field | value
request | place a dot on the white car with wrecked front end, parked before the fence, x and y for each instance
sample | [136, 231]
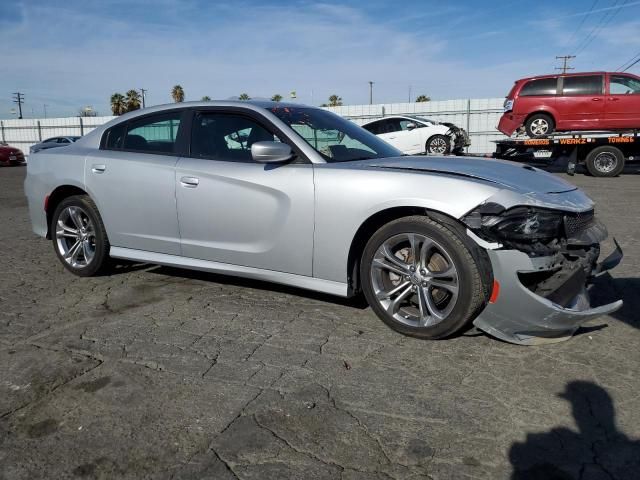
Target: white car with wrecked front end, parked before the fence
[418, 135]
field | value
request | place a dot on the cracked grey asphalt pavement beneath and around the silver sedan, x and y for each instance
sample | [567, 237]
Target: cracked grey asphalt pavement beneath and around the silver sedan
[164, 373]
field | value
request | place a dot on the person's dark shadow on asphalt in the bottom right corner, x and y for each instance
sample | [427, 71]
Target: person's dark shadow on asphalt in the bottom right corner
[596, 450]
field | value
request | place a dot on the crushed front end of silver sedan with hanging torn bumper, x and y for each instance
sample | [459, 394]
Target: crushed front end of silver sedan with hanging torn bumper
[543, 262]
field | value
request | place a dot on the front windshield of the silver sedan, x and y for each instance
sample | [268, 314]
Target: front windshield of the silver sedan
[333, 137]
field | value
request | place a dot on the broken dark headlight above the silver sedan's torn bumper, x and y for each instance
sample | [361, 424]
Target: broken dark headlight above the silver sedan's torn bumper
[520, 224]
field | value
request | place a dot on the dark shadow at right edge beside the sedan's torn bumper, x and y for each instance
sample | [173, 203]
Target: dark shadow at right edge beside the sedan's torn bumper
[607, 289]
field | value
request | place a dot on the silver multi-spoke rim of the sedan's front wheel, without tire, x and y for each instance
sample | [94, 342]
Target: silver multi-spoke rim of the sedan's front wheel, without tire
[414, 280]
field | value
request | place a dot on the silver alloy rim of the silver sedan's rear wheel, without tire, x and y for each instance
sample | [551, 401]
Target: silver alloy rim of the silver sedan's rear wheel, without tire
[75, 237]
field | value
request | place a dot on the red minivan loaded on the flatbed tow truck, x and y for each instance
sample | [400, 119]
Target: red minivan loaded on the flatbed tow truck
[572, 101]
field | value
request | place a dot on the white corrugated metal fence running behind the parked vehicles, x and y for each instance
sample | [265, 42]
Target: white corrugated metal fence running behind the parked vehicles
[478, 116]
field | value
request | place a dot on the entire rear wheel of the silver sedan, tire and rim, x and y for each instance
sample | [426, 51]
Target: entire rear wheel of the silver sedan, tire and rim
[79, 237]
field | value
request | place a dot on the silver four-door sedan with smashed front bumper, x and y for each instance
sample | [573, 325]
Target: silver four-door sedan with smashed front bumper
[297, 195]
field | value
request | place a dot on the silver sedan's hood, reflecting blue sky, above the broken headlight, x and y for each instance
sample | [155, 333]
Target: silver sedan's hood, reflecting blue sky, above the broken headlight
[523, 179]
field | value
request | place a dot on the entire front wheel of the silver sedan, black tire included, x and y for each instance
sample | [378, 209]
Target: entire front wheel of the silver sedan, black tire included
[420, 279]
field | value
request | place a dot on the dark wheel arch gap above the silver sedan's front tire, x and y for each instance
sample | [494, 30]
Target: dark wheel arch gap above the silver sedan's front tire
[382, 217]
